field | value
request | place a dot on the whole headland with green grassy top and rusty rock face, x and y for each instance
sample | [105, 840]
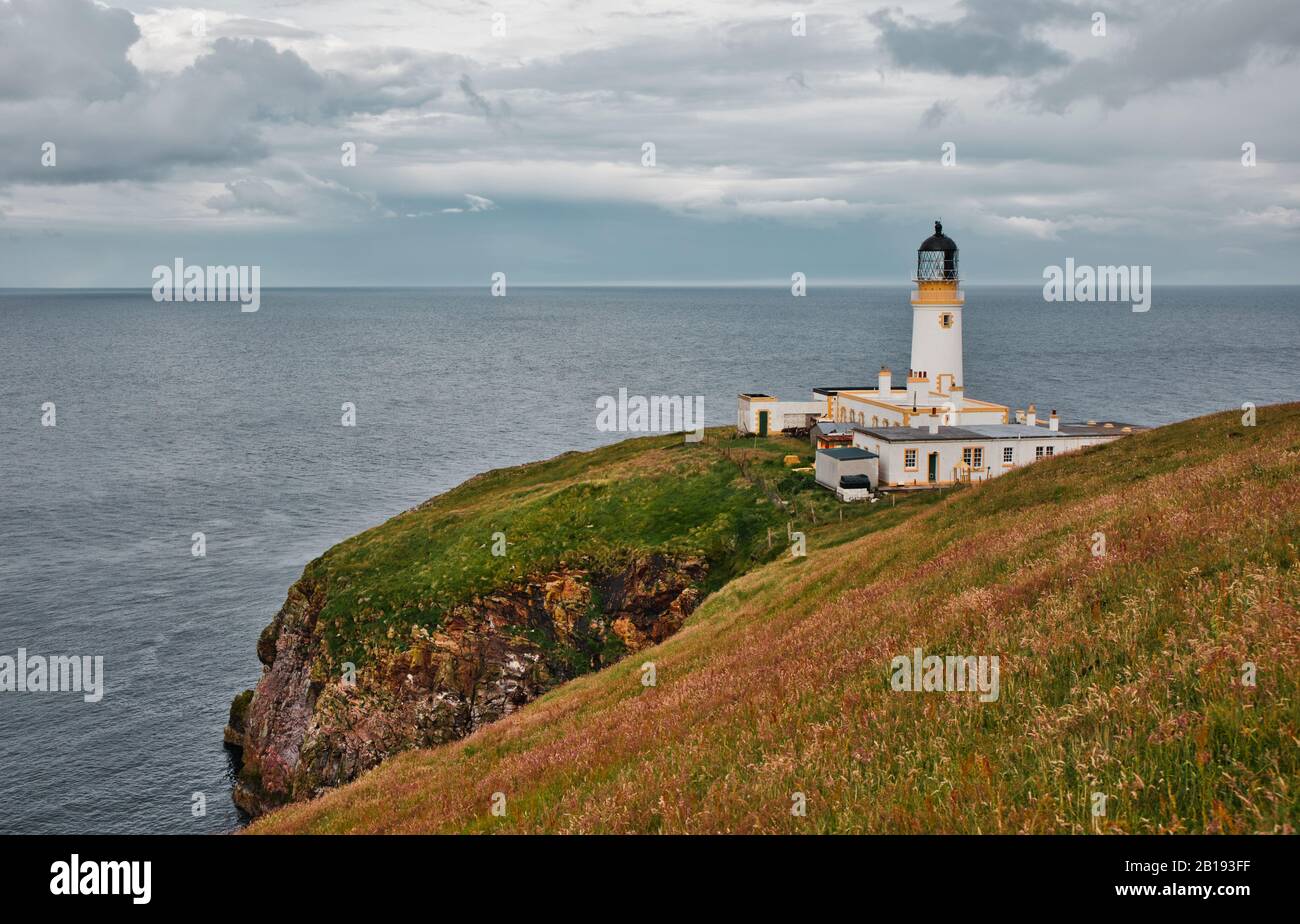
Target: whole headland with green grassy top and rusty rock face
[462, 610]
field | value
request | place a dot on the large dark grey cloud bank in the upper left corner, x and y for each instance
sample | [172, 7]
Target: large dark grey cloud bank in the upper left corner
[68, 81]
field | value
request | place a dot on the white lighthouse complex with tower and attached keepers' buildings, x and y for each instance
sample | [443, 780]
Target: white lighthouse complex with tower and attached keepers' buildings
[926, 432]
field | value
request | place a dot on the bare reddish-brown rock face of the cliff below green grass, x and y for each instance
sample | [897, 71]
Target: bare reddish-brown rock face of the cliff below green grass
[314, 723]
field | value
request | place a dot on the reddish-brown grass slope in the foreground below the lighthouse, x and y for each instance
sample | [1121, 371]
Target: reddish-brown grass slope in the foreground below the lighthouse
[1120, 674]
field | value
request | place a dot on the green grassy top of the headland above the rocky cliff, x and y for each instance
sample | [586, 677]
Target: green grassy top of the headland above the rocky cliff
[717, 500]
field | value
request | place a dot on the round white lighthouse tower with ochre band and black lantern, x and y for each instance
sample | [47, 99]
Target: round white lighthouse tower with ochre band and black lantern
[937, 319]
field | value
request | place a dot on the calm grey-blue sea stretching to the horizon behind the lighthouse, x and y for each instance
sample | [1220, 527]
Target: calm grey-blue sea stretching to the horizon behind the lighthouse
[175, 419]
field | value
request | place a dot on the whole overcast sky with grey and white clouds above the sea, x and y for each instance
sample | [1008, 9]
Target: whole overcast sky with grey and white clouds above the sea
[509, 136]
